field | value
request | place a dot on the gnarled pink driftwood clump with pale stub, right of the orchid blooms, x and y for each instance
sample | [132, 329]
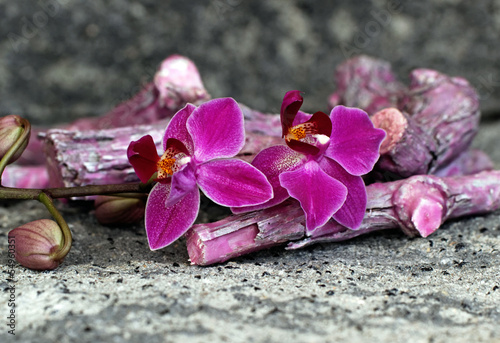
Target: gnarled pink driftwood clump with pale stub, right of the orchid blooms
[430, 123]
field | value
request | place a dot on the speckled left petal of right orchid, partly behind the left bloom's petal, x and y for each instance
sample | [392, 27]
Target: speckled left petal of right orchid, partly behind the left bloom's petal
[272, 162]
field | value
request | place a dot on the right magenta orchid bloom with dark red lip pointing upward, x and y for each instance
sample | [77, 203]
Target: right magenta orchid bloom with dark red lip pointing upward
[322, 164]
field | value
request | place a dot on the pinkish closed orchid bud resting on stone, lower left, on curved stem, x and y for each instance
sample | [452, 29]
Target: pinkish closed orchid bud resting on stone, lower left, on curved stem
[36, 244]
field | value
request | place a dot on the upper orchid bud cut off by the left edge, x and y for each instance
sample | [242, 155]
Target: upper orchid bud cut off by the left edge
[12, 128]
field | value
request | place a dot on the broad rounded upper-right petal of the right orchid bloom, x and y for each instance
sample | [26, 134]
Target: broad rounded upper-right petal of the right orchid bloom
[355, 142]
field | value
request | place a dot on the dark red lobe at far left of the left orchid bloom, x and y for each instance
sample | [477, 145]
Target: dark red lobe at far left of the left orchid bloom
[143, 157]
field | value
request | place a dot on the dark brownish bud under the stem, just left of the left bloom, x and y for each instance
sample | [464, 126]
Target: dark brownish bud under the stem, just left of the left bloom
[111, 210]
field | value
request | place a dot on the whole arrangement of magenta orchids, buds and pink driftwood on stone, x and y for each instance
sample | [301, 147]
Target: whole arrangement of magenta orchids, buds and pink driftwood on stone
[295, 178]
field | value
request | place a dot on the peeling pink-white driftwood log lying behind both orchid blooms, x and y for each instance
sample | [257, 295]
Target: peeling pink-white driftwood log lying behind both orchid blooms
[96, 157]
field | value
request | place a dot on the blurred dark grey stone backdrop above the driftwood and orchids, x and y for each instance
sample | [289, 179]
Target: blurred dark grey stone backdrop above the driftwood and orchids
[65, 59]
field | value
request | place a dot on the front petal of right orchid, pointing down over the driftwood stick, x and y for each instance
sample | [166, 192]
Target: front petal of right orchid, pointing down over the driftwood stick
[319, 194]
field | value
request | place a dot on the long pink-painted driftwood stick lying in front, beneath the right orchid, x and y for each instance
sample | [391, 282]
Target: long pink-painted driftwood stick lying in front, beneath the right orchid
[417, 205]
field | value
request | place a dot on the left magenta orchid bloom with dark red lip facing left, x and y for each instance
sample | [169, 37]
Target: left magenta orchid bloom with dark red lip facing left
[199, 143]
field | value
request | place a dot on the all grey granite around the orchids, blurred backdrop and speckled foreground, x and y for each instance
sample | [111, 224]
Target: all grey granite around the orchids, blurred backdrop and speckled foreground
[65, 59]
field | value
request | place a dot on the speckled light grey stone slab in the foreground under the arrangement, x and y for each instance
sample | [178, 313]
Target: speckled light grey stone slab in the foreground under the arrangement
[382, 287]
